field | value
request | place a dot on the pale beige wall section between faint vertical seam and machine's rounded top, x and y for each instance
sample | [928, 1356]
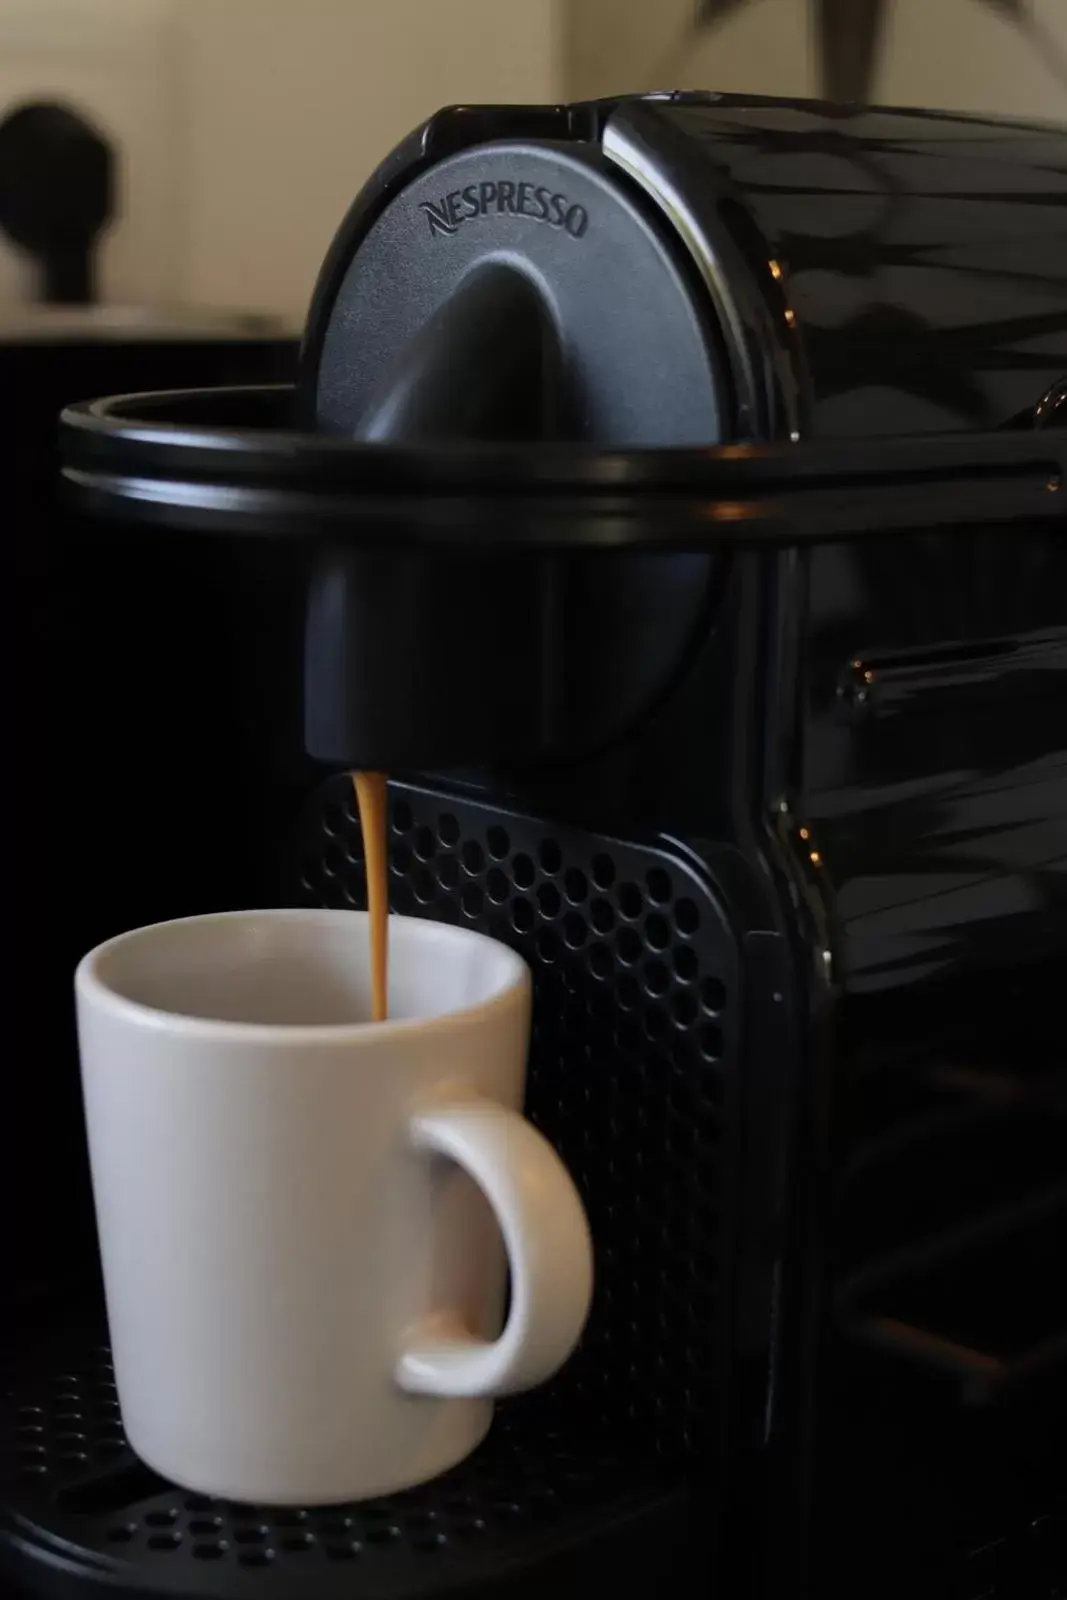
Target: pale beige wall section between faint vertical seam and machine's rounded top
[289, 105]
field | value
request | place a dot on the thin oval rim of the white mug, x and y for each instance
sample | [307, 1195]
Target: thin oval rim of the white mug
[92, 986]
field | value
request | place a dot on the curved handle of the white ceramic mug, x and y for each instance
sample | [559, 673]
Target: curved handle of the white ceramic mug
[549, 1252]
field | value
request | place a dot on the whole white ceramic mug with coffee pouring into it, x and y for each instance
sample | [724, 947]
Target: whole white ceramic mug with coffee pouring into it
[300, 1212]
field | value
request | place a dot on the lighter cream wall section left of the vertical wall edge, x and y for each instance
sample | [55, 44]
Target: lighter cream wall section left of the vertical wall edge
[247, 127]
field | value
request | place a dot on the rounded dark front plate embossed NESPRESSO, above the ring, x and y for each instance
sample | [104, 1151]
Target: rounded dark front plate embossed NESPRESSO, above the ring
[522, 266]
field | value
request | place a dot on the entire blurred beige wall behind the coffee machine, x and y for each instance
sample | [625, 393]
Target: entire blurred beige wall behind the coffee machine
[249, 126]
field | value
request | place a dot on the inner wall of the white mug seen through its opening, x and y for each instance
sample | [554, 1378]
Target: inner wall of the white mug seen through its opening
[302, 970]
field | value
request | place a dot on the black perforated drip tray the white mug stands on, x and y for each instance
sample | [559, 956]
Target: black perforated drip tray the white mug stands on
[537, 1505]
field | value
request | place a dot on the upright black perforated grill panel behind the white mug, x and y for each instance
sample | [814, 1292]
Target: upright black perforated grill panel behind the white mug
[631, 1074]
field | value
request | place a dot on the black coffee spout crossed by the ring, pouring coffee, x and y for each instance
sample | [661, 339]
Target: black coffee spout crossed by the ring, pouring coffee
[401, 649]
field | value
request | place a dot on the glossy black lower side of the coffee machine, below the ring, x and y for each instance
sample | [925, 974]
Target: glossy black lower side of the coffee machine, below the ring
[933, 802]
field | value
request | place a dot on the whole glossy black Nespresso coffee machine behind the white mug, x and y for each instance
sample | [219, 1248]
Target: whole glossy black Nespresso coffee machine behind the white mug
[674, 503]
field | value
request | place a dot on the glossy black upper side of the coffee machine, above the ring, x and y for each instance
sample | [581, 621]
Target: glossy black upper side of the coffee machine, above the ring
[924, 257]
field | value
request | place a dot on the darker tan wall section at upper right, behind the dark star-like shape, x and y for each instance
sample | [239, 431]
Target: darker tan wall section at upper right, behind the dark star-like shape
[959, 55]
